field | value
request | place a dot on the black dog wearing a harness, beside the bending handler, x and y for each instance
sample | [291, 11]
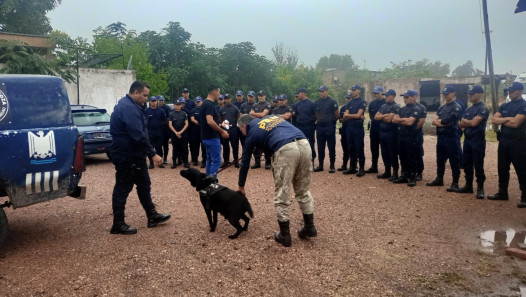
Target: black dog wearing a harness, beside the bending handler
[216, 198]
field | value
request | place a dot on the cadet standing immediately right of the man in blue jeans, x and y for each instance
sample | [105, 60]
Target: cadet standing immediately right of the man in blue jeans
[230, 113]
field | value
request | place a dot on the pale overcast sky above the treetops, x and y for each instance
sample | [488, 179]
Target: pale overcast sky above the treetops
[374, 32]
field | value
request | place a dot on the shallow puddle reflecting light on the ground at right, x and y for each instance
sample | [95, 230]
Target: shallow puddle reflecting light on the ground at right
[498, 241]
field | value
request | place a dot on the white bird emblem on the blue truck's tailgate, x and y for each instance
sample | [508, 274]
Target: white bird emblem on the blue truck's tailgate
[42, 148]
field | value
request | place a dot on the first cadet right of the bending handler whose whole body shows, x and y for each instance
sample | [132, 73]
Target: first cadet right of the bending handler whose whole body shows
[327, 114]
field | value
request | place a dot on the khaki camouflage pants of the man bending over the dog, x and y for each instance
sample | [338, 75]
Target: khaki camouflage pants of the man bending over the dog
[291, 165]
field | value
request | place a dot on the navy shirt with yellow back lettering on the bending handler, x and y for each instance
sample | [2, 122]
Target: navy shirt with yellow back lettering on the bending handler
[270, 132]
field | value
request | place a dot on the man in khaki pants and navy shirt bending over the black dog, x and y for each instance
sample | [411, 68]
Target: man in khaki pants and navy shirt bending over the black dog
[291, 164]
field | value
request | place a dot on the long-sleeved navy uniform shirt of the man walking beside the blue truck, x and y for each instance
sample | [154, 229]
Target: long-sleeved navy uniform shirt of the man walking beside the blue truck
[129, 131]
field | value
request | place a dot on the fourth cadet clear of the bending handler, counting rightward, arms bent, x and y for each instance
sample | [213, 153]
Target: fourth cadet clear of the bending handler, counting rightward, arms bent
[389, 135]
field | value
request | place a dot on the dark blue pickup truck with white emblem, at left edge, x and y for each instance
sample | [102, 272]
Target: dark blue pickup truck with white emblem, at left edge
[41, 150]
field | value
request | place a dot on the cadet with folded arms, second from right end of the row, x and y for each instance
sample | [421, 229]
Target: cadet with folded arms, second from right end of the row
[474, 124]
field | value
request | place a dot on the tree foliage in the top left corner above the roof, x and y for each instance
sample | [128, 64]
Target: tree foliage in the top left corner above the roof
[26, 16]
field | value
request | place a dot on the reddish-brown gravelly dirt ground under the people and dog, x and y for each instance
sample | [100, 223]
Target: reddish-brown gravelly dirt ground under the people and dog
[375, 238]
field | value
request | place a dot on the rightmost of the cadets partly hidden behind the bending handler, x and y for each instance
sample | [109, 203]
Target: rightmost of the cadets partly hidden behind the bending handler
[304, 113]
